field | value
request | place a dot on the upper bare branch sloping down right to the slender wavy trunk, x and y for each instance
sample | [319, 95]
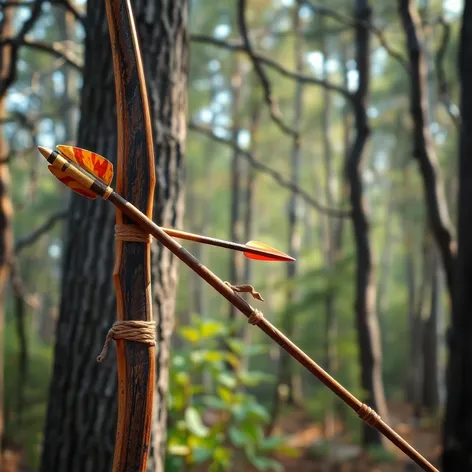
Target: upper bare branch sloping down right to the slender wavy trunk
[304, 79]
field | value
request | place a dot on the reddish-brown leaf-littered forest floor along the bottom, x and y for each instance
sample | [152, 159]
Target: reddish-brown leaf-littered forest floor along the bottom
[335, 454]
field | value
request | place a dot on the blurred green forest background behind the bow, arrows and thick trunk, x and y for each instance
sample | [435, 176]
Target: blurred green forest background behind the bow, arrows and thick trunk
[328, 130]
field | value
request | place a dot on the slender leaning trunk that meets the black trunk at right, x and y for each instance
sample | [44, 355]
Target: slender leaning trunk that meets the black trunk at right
[423, 148]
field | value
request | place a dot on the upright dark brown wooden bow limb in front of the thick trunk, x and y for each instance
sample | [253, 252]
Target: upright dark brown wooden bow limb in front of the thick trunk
[132, 274]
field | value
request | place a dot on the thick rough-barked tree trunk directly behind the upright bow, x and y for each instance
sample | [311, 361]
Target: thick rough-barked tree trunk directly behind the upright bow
[80, 428]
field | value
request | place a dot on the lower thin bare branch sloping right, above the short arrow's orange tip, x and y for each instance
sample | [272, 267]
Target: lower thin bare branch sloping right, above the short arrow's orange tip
[282, 181]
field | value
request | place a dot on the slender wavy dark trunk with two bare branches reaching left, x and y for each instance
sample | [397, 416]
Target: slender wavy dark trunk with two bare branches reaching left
[366, 318]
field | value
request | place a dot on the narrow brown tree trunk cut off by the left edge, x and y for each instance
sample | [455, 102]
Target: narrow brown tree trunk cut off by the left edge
[6, 236]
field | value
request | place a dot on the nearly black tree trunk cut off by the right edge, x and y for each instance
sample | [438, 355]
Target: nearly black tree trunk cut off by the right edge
[457, 455]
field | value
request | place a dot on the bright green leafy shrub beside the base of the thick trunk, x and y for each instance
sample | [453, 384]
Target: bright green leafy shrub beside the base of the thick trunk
[213, 420]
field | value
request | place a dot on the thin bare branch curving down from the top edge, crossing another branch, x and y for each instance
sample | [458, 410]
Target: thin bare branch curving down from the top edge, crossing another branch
[274, 109]
